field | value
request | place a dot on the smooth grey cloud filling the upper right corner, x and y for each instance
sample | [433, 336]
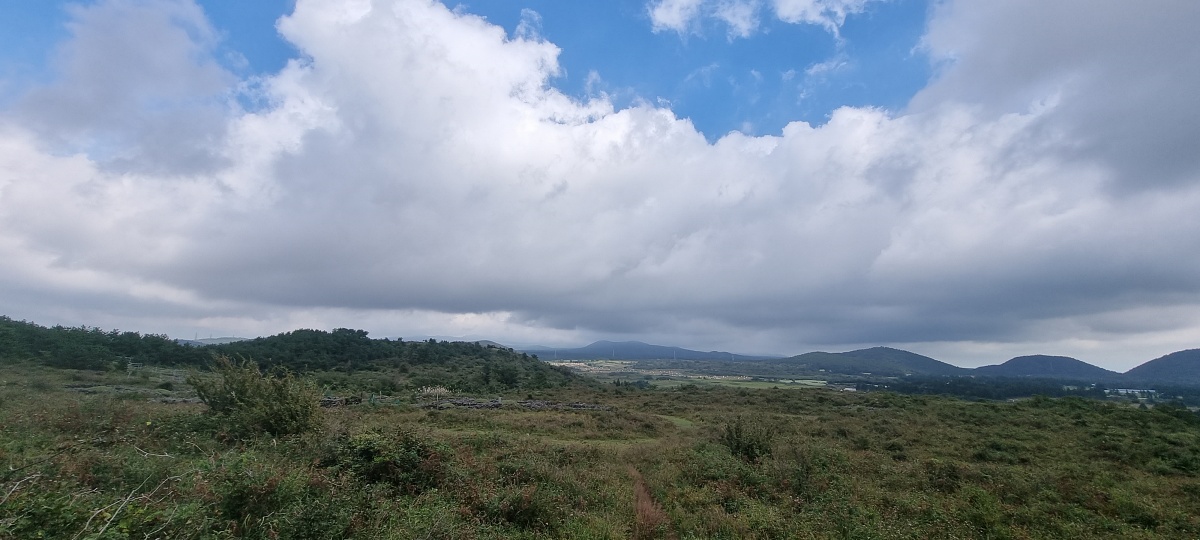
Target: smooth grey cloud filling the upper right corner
[1125, 86]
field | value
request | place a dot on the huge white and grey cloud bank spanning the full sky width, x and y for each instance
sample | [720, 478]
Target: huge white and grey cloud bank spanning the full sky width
[418, 171]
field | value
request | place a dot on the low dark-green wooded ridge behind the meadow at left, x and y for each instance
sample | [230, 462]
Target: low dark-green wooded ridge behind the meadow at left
[461, 367]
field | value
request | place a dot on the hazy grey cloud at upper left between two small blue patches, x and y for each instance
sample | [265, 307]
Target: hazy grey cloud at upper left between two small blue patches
[137, 107]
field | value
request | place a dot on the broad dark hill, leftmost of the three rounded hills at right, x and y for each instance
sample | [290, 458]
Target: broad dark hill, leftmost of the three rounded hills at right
[878, 362]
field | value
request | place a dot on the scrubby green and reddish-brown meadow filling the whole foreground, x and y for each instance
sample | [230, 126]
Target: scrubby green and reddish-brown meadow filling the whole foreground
[682, 463]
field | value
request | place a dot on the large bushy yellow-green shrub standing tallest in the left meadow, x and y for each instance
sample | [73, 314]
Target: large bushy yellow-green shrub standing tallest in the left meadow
[254, 403]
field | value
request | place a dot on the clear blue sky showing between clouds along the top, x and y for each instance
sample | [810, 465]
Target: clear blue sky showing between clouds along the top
[782, 73]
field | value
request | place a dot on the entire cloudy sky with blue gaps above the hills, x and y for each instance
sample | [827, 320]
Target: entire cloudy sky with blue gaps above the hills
[969, 181]
